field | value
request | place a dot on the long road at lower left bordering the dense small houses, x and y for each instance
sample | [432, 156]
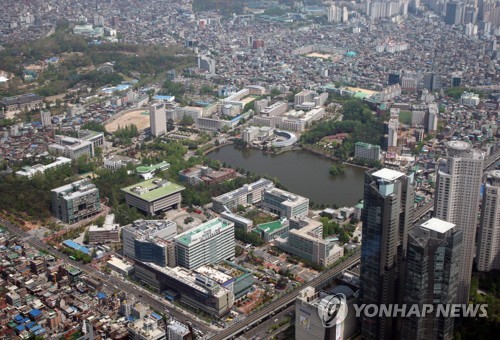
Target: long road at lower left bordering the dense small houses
[155, 301]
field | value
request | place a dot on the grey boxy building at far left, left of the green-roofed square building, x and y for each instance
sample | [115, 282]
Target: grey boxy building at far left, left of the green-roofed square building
[76, 201]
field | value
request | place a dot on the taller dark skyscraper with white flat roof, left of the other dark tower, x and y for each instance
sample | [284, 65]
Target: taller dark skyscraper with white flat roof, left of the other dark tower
[387, 215]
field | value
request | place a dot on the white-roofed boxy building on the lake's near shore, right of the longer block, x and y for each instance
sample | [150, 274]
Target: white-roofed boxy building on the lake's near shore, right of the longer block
[284, 203]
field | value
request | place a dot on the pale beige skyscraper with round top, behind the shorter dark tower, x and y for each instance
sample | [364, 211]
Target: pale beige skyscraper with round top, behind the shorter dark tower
[457, 201]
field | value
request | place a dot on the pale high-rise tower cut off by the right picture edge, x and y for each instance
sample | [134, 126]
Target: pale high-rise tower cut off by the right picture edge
[488, 243]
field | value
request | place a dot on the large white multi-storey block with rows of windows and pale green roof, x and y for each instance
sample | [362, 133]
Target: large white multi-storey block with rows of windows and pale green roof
[208, 243]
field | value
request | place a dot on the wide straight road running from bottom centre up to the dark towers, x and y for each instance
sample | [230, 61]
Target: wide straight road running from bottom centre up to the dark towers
[285, 300]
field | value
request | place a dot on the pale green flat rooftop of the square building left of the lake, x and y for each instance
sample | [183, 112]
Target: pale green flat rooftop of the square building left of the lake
[153, 189]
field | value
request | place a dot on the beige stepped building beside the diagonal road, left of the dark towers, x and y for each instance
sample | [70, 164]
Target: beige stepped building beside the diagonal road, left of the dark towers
[307, 242]
